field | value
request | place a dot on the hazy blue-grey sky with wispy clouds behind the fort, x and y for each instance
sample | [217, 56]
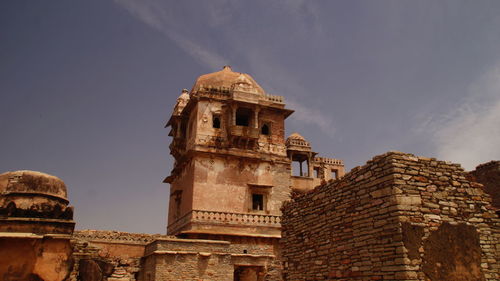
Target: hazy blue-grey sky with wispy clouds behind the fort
[86, 87]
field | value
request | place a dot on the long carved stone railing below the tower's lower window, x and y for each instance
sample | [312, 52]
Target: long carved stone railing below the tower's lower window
[224, 218]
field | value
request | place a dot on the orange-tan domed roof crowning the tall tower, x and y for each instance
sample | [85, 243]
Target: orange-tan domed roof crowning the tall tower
[227, 78]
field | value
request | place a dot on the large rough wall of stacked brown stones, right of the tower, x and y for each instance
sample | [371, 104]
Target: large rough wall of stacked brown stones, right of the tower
[399, 217]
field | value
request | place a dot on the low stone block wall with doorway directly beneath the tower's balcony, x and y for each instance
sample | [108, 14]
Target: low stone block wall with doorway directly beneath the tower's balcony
[210, 260]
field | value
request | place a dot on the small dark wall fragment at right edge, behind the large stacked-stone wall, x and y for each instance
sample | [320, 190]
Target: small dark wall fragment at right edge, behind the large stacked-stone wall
[488, 174]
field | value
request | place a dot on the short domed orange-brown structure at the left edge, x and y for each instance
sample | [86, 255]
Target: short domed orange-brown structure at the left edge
[36, 224]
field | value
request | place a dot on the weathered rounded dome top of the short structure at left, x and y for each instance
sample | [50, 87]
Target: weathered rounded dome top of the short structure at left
[32, 182]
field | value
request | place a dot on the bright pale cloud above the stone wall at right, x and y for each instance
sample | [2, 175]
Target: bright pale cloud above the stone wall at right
[470, 133]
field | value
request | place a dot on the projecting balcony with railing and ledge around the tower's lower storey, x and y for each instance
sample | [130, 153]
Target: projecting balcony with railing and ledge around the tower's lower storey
[247, 223]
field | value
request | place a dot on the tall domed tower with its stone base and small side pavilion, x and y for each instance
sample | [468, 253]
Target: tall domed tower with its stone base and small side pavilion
[232, 172]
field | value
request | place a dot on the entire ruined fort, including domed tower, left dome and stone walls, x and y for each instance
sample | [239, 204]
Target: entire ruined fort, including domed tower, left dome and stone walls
[248, 203]
